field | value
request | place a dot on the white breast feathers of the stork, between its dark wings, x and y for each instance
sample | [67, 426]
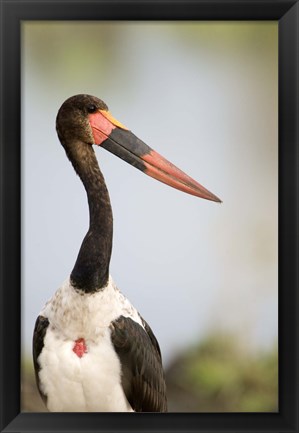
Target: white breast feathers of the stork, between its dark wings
[91, 383]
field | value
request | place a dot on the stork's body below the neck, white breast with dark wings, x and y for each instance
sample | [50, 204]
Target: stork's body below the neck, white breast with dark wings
[123, 358]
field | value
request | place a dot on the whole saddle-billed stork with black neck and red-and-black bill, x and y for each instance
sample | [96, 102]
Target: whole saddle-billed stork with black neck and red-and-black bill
[92, 350]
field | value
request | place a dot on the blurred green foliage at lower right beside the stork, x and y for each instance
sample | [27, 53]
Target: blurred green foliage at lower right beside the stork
[217, 376]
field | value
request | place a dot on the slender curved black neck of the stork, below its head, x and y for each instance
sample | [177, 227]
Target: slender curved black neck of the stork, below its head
[91, 270]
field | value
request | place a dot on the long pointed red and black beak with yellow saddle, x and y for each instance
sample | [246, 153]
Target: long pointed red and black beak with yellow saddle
[115, 137]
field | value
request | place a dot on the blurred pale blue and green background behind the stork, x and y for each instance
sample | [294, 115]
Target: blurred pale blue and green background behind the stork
[204, 275]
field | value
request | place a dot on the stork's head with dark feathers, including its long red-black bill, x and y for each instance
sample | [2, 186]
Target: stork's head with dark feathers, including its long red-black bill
[85, 119]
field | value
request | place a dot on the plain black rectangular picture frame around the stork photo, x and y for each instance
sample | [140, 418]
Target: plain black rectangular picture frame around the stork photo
[286, 12]
